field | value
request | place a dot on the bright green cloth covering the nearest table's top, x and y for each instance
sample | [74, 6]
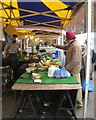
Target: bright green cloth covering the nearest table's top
[26, 79]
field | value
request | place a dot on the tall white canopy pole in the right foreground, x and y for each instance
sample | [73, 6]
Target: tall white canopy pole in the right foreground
[88, 58]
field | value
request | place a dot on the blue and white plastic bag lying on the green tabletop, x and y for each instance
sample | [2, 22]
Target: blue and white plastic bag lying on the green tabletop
[61, 73]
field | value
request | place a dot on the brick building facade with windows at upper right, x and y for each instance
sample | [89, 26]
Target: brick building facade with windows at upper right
[79, 24]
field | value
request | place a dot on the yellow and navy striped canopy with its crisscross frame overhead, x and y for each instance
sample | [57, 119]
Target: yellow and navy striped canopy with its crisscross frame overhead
[51, 16]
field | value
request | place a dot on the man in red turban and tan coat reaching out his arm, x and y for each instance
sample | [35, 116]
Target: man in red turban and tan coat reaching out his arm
[73, 60]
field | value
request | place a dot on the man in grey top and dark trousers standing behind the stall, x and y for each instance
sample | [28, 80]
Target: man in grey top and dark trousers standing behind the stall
[10, 54]
